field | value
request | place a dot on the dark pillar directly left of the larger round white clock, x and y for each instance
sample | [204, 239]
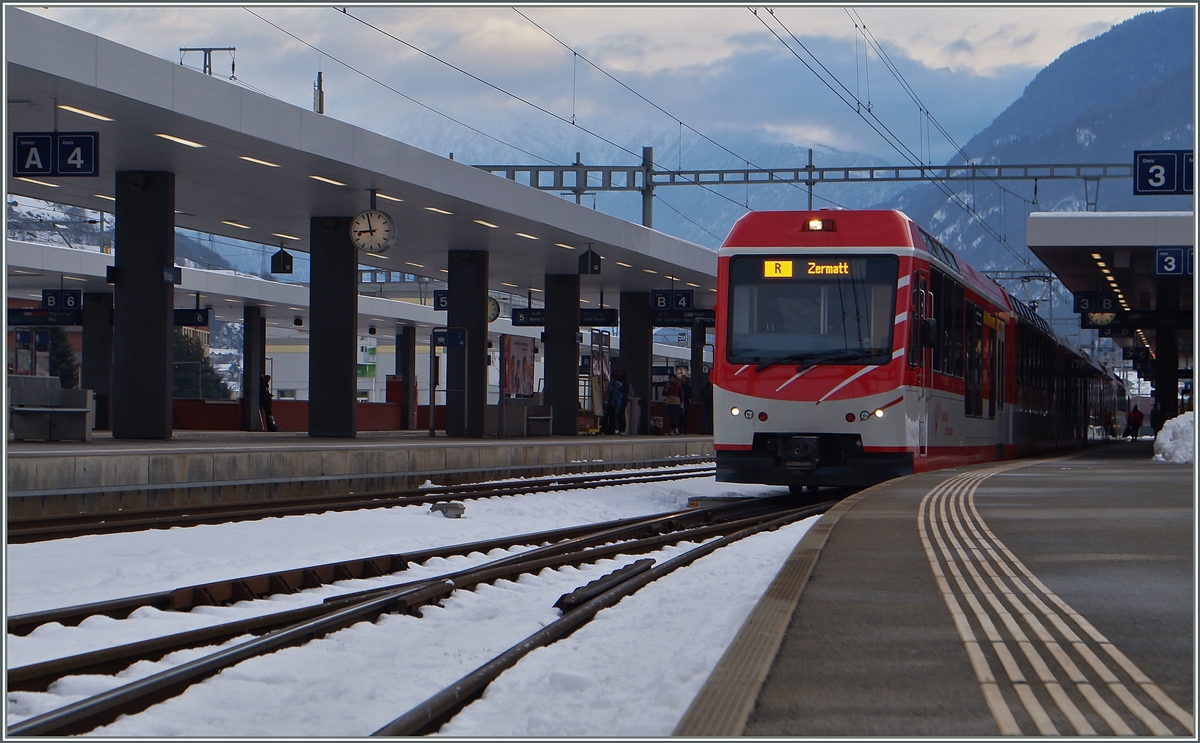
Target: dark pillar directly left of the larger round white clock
[334, 322]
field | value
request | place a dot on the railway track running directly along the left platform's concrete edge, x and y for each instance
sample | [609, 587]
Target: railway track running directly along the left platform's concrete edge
[62, 528]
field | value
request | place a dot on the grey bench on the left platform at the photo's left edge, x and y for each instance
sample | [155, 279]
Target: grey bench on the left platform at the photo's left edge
[40, 410]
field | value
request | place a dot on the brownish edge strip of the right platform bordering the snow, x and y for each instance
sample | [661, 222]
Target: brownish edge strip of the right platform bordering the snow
[727, 700]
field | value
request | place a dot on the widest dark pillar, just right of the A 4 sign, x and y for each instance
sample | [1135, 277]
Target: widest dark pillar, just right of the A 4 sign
[142, 305]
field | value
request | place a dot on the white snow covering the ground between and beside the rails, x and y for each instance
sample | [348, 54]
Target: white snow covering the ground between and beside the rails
[633, 672]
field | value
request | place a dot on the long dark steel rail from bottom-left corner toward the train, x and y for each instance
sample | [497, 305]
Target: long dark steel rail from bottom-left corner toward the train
[129, 699]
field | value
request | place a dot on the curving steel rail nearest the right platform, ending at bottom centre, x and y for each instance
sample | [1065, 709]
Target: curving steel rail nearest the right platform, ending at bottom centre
[431, 715]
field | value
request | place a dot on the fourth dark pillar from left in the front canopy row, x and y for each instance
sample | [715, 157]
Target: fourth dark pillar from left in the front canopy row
[562, 352]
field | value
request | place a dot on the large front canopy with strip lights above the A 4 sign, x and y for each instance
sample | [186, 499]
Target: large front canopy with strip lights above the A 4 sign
[251, 167]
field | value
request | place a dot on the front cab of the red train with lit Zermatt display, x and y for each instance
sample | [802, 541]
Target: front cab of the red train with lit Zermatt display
[832, 411]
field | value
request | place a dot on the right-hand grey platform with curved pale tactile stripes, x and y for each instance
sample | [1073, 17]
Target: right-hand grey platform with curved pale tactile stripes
[1040, 597]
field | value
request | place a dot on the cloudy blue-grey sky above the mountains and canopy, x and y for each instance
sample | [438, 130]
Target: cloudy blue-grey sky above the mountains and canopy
[523, 94]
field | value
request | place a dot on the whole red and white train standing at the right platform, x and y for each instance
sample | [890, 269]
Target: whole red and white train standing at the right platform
[854, 347]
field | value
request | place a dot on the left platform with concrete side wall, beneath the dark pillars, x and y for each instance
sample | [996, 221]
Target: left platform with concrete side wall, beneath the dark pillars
[220, 468]
